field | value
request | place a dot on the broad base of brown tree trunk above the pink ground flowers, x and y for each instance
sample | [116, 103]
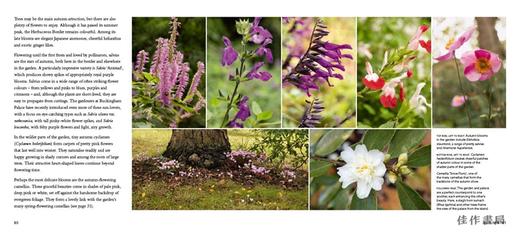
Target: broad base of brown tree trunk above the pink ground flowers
[203, 148]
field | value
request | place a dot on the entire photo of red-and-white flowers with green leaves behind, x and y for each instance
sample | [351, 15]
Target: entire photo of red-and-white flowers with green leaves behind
[389, 46]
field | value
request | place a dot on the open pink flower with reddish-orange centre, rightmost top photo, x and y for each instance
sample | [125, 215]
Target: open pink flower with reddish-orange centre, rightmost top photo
[480, 65]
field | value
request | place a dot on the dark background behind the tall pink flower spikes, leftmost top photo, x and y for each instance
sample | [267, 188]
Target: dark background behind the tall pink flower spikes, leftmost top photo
[191, 42]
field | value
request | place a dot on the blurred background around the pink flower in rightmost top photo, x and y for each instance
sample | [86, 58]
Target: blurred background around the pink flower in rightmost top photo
[490, 35]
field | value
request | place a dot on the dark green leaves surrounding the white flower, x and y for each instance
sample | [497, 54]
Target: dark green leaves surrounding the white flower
[407, 158]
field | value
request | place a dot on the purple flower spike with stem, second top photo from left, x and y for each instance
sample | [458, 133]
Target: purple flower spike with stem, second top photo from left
[260, 38]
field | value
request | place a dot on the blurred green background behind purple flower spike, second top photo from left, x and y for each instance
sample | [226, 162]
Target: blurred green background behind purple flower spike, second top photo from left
[266, 94]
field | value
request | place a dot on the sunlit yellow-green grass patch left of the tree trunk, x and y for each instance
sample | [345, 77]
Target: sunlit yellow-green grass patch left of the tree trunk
[149, 142]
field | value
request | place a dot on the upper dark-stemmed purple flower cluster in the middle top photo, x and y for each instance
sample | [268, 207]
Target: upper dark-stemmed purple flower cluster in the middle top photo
[319, 62]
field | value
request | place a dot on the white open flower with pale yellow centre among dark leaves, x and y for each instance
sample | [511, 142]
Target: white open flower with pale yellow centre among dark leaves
[366, 168]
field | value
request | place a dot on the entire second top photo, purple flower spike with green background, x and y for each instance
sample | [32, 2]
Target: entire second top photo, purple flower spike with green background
[237, 98]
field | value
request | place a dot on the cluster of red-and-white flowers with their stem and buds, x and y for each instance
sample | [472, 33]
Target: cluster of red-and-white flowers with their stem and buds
[399, 64]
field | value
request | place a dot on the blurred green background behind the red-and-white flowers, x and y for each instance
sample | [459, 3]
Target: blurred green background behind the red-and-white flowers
[375, 36]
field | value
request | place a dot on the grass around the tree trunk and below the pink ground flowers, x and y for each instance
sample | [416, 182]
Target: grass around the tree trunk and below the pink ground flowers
[155, 189]
